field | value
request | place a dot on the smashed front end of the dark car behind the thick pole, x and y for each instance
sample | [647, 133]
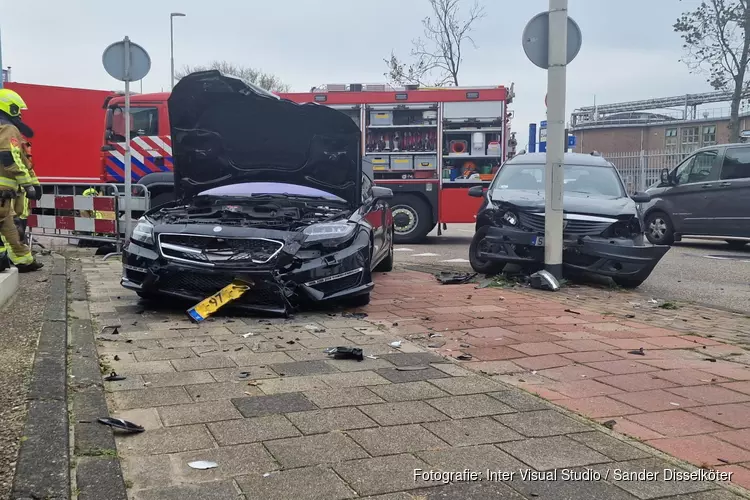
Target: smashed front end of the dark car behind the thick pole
[612, 246]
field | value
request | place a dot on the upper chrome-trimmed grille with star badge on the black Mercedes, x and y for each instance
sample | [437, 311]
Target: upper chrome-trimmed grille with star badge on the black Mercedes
[210, 250]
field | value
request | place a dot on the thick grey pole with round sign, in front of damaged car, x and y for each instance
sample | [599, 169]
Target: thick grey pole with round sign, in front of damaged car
[551, 40]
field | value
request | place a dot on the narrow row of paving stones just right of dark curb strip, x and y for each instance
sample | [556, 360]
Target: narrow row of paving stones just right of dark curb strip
[98, 474]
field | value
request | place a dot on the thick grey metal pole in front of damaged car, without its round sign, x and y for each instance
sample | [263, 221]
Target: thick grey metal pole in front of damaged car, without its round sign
[556, 75]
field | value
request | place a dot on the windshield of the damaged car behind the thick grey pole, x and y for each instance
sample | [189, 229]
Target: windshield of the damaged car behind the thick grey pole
[585, 179]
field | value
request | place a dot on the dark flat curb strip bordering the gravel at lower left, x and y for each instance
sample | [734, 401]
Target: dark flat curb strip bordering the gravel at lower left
[42, 469]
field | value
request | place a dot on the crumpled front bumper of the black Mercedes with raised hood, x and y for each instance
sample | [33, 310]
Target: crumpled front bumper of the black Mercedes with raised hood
[334, 276]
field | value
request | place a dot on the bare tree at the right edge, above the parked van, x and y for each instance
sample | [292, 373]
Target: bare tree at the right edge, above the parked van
[716, 38]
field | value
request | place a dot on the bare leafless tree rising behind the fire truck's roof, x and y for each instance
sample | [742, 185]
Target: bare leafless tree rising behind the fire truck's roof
[438, 56]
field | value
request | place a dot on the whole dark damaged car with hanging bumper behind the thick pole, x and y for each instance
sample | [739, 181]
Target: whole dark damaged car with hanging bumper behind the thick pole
[602, 230]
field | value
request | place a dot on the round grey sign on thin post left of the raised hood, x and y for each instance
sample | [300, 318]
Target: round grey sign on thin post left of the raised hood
[127, 62]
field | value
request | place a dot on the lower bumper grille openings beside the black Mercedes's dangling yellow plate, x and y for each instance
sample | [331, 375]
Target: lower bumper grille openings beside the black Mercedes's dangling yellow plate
[200, 284]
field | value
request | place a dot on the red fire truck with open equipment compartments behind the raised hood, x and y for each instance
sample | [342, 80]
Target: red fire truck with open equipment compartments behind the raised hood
[430, 145]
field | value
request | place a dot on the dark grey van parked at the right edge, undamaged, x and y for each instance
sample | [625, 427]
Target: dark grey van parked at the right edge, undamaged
[705, 196]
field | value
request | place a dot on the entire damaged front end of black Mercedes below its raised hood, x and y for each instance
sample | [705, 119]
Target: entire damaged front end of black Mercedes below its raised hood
[287, 251]
